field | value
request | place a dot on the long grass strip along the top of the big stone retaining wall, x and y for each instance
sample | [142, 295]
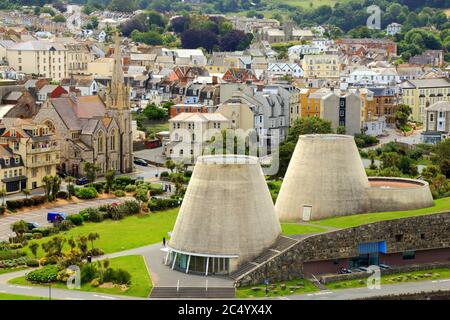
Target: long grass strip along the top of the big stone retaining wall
[365, 218]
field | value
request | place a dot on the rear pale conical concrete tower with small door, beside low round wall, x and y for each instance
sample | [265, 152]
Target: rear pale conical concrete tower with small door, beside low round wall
[325, 178]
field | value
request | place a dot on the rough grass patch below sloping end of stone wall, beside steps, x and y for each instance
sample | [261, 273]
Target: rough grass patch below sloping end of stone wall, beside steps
[292, 287]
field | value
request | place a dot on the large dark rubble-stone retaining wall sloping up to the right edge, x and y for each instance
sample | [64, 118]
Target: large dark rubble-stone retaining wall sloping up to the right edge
[413, 233]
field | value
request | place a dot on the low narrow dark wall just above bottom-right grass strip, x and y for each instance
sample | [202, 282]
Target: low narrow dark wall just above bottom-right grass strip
[393, 270]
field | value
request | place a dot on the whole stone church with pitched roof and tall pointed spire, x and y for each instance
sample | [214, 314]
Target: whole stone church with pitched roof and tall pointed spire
[93, 129]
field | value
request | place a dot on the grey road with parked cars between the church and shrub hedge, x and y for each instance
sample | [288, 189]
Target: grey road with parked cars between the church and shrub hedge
[40, 215]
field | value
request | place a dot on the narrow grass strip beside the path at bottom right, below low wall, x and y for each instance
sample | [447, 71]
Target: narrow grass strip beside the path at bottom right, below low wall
[432, 274]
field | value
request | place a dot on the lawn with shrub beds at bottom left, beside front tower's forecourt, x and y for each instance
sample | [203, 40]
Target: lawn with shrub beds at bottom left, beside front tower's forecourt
[141, 283]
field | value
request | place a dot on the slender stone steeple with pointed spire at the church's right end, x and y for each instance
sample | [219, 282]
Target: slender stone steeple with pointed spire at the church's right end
[117, 102]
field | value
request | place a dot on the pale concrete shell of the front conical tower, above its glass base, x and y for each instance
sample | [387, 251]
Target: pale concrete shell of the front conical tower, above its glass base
[227, 210]
